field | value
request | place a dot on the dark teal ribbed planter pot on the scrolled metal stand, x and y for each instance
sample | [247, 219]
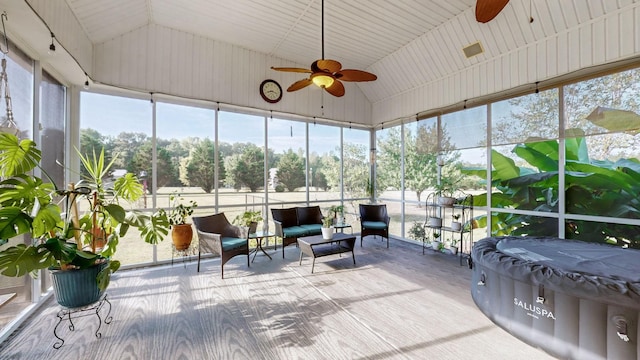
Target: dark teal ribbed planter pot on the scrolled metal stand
[77, 288]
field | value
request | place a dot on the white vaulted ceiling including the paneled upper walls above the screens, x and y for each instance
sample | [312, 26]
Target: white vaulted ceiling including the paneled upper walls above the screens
[220, 50]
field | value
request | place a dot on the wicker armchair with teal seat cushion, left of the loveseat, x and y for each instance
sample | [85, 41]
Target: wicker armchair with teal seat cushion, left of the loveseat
[217, 236]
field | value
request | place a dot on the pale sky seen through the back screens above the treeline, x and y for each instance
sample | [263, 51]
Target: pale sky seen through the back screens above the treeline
[111, 115]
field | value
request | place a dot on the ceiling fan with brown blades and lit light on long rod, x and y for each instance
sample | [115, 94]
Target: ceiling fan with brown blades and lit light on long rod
[327, 73]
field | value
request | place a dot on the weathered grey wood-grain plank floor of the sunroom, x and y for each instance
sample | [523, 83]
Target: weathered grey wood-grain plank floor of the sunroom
[394, 304]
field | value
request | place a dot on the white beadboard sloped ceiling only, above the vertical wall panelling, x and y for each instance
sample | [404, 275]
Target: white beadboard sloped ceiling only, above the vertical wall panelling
[406, 43]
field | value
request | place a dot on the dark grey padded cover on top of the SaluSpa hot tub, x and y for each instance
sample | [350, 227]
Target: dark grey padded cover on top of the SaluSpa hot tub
[599, 272]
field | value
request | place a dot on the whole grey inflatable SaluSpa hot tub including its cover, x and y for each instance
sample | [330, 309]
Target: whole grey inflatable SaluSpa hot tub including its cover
[573, 299]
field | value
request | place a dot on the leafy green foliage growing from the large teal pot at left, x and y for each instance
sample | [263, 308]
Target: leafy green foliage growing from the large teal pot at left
[61, 239]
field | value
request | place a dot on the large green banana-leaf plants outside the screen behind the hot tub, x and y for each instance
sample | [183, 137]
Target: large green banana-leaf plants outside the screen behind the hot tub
[592, 187]
